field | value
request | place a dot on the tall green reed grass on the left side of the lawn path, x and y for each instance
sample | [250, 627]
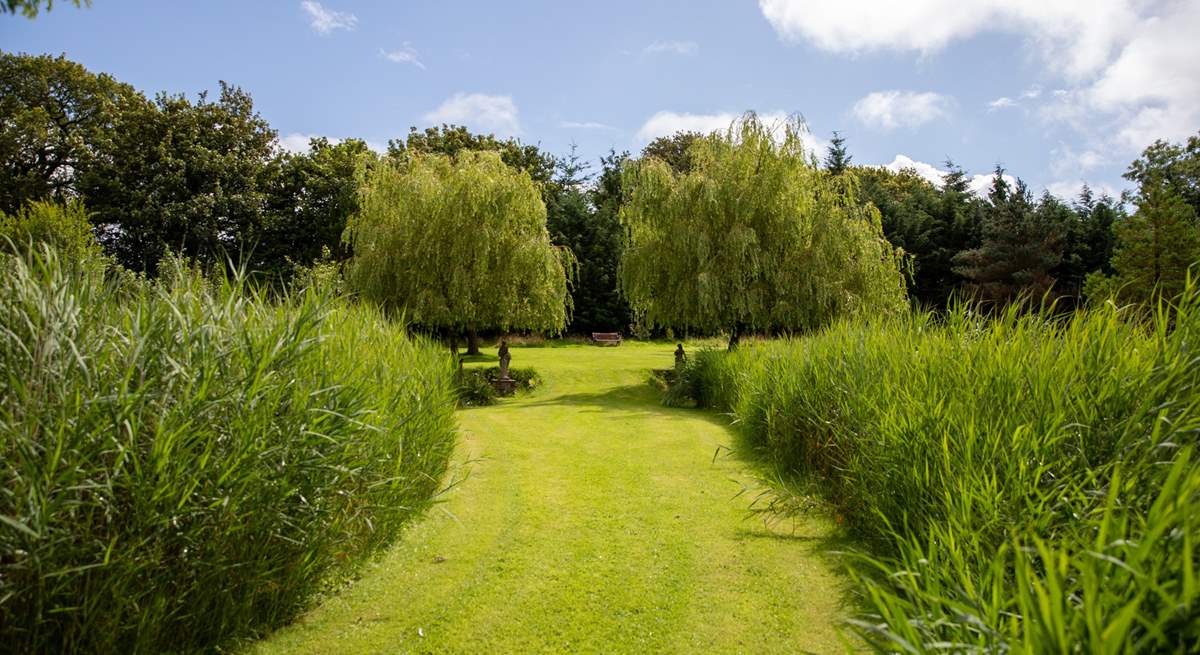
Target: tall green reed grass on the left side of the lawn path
[184, 464]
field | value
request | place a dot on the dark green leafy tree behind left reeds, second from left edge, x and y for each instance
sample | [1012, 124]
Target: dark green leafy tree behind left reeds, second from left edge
[182, 176]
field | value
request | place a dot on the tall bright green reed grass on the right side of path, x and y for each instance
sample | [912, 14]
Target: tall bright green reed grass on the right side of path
[1023, 484]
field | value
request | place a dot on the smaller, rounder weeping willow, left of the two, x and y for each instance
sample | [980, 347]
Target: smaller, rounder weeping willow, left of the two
[459, 245]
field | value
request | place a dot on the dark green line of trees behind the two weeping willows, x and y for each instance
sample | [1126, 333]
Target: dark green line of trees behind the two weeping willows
[206, 178]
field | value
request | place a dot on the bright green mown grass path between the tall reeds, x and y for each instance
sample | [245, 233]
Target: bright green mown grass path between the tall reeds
[593, 521]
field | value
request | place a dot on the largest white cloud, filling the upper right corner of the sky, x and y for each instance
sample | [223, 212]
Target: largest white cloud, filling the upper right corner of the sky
[1131, 68]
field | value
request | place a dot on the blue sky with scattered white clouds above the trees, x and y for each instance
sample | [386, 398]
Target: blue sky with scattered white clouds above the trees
[1055, 92]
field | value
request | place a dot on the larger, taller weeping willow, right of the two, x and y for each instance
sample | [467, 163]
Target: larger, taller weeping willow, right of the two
[754, 237]
